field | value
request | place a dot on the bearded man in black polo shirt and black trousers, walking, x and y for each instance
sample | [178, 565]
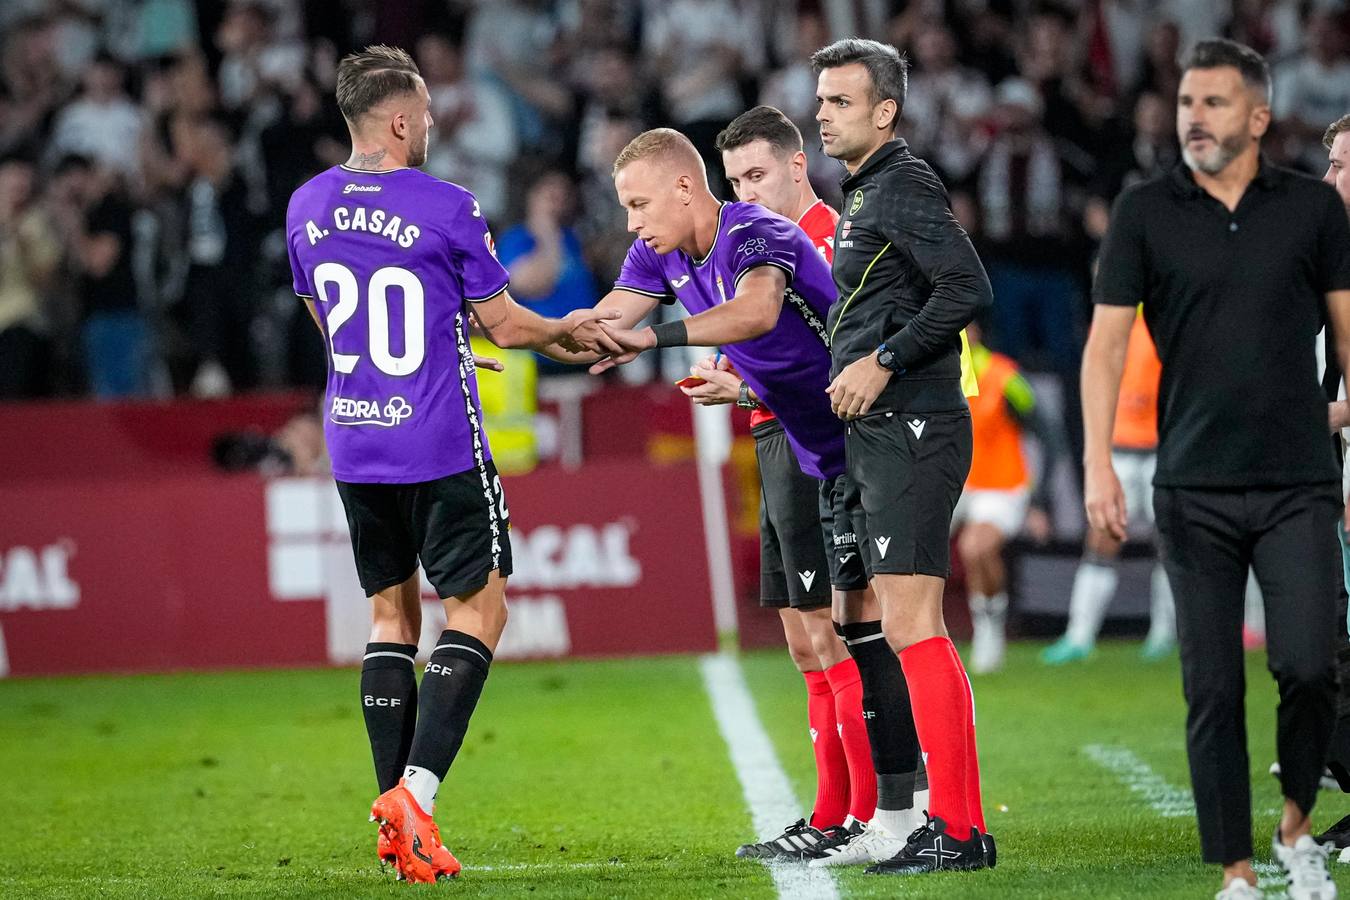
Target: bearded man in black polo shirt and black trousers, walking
[1239, 265]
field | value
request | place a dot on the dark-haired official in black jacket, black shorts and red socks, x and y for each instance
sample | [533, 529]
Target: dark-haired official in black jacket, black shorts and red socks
[909, 283]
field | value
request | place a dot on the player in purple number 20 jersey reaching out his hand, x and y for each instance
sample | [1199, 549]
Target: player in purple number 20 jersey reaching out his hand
[392, 265]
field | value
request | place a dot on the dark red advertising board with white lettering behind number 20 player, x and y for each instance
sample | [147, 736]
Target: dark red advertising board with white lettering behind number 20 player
[215, 571]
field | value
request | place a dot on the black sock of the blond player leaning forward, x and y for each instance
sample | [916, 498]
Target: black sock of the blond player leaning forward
[886, 710]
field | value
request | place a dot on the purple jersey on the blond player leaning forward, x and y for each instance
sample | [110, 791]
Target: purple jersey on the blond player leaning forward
[790, 366]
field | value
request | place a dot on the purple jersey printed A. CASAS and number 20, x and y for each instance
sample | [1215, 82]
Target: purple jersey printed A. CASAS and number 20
[392, 262]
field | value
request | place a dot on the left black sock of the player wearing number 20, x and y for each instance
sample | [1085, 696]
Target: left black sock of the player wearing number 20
[389, 704]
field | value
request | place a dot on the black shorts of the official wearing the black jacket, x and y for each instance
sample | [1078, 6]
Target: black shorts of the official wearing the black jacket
[905, 476]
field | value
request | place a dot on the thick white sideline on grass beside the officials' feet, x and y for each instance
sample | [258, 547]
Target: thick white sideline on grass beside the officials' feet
[769, 794]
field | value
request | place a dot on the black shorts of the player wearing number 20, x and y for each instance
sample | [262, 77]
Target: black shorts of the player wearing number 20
[457, 526]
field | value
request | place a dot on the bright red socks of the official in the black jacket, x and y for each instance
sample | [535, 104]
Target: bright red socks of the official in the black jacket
[943, 719]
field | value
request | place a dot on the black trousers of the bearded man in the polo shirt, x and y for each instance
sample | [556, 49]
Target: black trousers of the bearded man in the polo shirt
[1210, 538]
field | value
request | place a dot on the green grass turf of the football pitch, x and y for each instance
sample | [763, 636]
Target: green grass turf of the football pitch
[580, 779]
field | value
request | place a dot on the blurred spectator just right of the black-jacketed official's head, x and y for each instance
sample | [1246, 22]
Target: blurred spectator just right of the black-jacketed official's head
[946, 106]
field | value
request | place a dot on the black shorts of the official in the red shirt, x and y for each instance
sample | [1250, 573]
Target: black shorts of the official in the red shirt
[794, 569]
